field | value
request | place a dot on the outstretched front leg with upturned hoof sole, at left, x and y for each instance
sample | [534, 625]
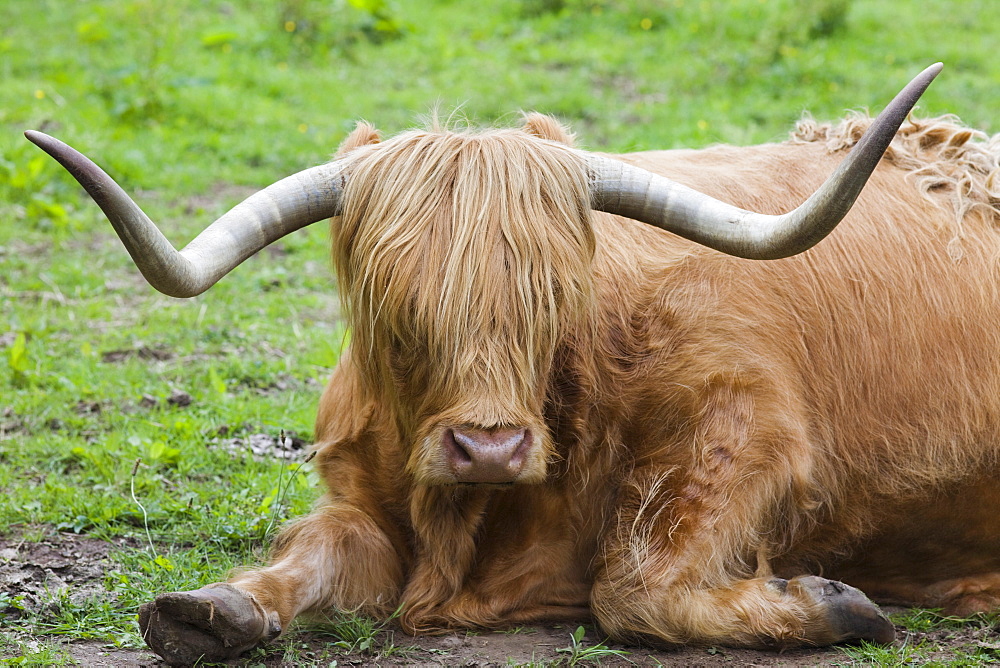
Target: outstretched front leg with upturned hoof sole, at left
[337, 557]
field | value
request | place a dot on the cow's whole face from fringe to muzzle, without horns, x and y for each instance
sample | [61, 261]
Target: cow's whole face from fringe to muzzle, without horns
[462, 261]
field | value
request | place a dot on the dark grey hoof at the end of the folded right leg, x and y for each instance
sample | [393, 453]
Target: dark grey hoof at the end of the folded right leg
[847, 614]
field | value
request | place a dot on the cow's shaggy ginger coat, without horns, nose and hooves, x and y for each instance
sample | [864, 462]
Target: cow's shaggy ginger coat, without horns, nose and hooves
[703, 424]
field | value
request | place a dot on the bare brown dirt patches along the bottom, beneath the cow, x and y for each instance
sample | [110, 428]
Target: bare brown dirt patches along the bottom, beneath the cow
[76, 564]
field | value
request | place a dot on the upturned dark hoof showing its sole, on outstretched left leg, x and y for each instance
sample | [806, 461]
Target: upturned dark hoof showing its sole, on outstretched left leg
[213, 623]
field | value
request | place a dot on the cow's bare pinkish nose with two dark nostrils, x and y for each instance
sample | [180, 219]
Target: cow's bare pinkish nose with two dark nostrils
[481, 455]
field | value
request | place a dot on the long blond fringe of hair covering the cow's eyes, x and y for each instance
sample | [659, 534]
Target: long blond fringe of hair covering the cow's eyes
[467, 243]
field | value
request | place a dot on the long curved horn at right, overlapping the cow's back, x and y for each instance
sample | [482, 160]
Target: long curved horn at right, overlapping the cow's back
[632, 192]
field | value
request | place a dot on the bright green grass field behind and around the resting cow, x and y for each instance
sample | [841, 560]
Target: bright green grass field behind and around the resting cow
[127, 418]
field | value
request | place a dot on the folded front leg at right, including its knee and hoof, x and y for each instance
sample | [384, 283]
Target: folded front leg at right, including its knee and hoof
[687, 559]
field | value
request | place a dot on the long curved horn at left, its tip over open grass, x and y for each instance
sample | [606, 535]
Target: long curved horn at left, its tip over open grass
[283, 207]
